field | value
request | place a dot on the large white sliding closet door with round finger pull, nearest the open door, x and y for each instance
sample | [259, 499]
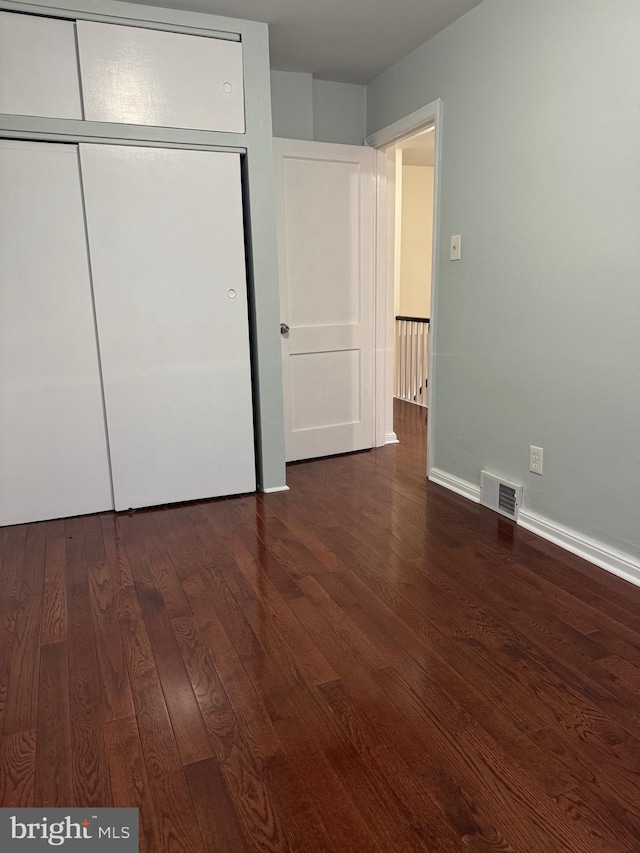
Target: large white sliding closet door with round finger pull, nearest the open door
[167, 254]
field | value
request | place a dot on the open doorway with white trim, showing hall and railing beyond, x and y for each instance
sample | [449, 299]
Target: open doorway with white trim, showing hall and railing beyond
[406, 269]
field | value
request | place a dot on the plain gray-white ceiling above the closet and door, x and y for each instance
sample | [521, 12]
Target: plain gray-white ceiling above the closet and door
[348, 41]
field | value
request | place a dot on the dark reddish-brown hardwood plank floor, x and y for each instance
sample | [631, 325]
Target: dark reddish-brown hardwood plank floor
[364, 663]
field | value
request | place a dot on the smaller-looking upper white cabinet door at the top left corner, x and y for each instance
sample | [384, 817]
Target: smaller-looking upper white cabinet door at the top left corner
[38, 67]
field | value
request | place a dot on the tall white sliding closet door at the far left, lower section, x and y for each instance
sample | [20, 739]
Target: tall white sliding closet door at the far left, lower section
[53, 449]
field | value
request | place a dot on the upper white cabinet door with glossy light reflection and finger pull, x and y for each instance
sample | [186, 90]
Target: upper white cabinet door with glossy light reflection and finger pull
[137, 76]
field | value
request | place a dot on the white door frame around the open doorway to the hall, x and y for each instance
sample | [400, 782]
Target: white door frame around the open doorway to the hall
[384, 316]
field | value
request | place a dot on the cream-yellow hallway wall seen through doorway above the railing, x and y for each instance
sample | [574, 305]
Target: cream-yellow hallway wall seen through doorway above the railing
[416, 241]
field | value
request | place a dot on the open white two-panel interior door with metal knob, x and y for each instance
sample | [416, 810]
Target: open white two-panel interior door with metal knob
[325, 197]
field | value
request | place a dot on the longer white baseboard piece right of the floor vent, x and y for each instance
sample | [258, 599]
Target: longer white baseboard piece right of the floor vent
[616, 562]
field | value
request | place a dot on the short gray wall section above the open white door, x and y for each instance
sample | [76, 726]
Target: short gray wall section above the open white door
[304, 108]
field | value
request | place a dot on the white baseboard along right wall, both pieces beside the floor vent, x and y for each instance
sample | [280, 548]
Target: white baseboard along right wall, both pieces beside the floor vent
[601, 555]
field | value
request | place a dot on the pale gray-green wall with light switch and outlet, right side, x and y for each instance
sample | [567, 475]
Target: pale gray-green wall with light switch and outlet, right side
[538, 327]
